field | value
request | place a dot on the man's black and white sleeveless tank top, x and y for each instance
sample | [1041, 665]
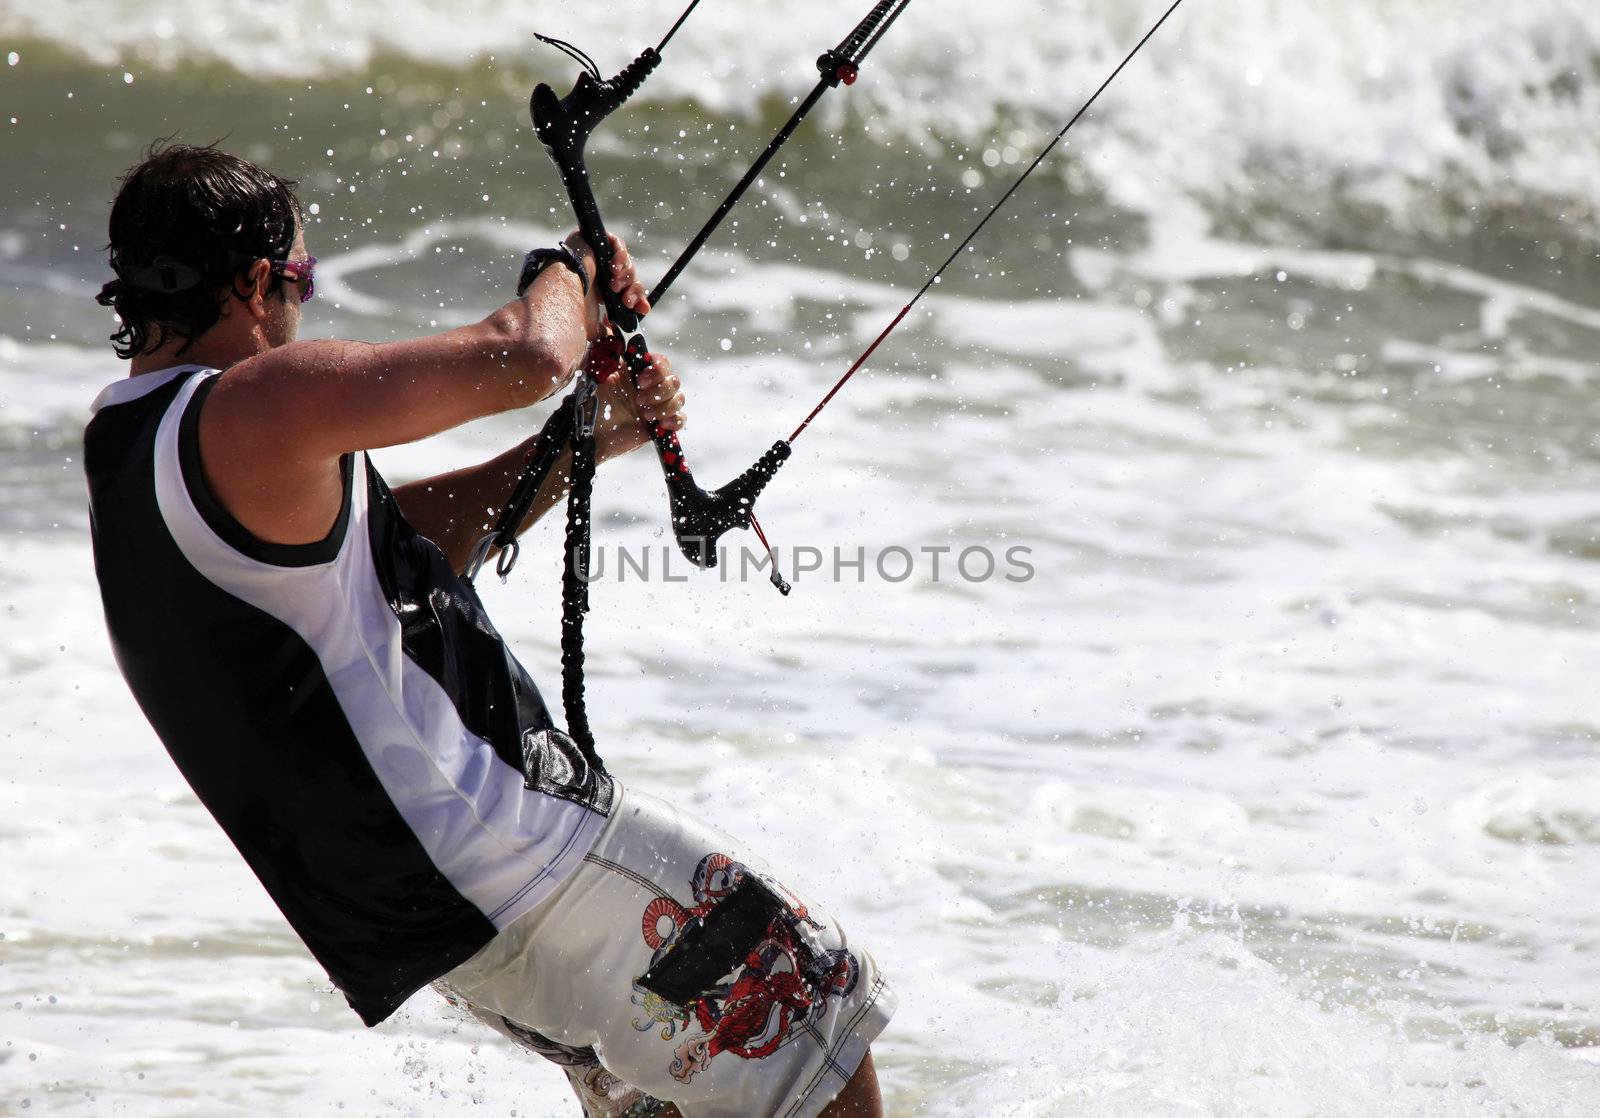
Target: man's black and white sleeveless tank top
[345, 709]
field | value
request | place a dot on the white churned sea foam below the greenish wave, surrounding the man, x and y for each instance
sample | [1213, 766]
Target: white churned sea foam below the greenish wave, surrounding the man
[1270, 794]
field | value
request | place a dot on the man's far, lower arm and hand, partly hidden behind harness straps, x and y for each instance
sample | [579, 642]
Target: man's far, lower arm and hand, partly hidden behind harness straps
[457, 509]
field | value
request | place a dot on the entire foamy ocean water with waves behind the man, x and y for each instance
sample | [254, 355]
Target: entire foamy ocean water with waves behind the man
[1268, 788]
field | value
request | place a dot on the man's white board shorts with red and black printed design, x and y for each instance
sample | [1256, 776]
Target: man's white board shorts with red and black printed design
[778, 1034]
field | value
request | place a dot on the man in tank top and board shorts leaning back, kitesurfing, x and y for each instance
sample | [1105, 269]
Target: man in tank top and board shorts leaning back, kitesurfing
[303, 644]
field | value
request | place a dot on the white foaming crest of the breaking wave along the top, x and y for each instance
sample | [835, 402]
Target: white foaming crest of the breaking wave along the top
[1426, 116]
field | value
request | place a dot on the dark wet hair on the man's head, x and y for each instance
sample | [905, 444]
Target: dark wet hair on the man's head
[188, 223]
